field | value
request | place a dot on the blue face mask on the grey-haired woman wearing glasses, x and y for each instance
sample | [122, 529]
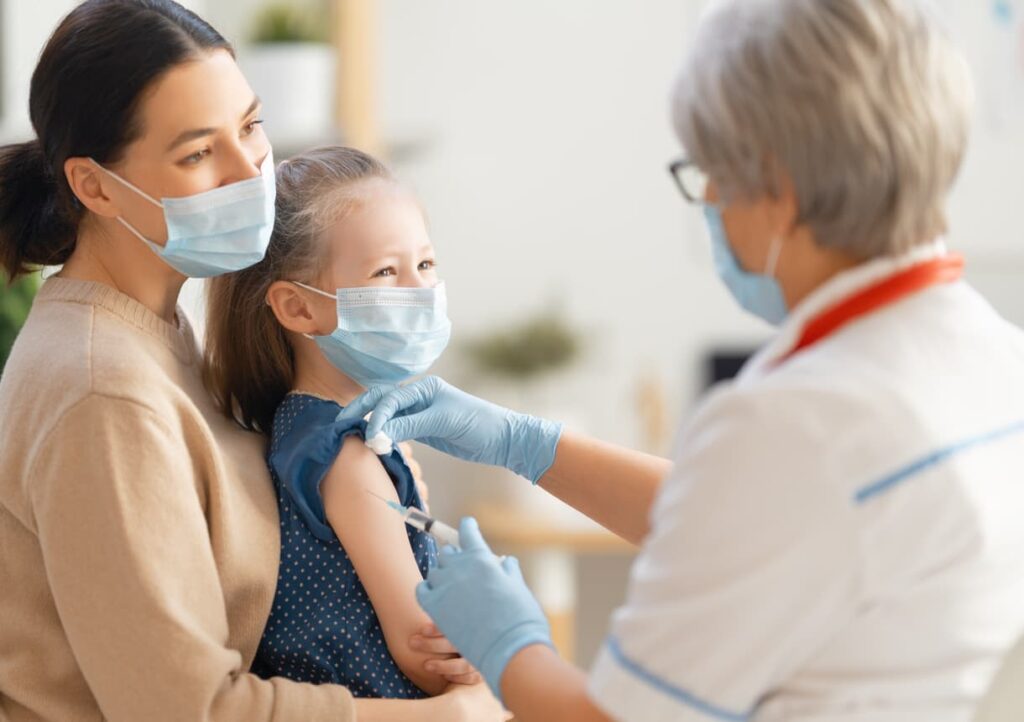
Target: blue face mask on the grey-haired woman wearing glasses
[758, 293]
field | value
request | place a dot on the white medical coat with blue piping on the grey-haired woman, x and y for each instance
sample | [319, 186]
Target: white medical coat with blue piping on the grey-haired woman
[842, 538]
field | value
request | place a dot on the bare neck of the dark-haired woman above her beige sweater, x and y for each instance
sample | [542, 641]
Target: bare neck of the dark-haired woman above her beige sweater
[125, 264]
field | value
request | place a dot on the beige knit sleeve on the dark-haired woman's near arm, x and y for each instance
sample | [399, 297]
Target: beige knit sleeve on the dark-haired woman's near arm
[130, 562]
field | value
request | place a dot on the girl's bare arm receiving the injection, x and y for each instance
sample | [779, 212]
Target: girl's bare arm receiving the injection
[375, 538]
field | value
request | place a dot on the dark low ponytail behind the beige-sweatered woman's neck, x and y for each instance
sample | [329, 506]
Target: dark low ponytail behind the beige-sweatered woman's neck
[37, 222]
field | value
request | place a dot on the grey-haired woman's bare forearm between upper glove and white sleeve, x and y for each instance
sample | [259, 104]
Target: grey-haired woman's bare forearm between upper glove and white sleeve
[616, 487]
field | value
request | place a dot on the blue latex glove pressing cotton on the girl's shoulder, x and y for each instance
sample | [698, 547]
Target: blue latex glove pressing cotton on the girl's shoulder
[464, 427]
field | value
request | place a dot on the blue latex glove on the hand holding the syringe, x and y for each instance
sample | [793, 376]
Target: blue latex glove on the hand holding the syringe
[483, 605]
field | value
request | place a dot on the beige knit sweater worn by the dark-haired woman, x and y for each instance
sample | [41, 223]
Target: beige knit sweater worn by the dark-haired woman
[139, 529]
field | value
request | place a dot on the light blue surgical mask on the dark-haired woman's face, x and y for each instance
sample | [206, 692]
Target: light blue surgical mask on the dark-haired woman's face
[216, 232]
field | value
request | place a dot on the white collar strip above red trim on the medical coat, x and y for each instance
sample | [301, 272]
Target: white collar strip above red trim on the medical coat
[839, 287]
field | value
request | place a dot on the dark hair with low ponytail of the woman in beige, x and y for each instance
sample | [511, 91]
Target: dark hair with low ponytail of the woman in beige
[83, 103]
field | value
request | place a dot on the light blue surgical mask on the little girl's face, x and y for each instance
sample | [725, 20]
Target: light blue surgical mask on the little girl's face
[387, 335]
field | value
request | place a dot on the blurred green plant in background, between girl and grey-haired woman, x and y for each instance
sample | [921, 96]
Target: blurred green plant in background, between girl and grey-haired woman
[536, 347]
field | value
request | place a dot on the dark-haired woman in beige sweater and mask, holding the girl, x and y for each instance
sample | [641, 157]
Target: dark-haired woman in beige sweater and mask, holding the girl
[139, 528]
